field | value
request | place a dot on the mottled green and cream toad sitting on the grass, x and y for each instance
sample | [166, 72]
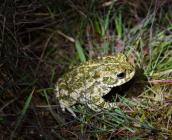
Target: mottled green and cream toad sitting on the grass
[91, 80]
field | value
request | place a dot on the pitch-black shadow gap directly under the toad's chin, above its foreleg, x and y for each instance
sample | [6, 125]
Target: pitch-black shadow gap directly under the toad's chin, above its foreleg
[118, 90]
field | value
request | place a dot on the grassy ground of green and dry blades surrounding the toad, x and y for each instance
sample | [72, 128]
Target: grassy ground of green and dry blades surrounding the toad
[39, 42]
